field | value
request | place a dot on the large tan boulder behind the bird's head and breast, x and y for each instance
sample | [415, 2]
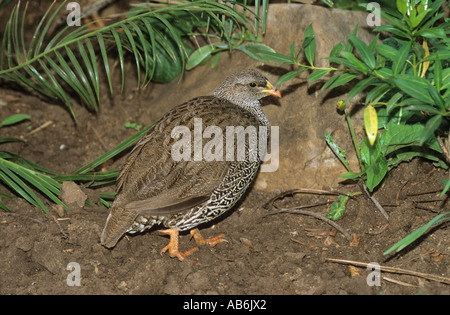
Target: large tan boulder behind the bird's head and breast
[304, 113]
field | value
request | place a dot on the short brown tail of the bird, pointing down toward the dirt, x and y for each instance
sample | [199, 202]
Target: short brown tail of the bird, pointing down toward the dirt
[116, 225]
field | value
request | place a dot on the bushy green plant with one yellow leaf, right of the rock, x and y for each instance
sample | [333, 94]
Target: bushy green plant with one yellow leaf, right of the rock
[407, 83]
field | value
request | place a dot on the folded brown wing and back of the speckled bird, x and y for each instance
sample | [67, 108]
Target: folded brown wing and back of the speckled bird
[152, 182]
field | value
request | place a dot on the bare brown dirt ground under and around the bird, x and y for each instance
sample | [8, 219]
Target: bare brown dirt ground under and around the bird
[276, 254]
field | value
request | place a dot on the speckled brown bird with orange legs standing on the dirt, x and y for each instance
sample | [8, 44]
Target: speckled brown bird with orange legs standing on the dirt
[156, 188]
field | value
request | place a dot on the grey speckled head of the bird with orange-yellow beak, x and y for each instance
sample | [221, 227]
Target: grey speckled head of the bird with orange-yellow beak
[245, 88]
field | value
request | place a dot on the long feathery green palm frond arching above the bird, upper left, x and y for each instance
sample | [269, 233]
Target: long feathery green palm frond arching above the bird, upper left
[69, 64]
